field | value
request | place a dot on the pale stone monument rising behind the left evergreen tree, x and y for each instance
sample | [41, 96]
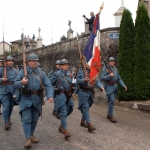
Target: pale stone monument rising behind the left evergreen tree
[118, 14]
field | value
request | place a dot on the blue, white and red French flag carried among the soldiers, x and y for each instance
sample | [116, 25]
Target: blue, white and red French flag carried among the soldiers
[92, 51]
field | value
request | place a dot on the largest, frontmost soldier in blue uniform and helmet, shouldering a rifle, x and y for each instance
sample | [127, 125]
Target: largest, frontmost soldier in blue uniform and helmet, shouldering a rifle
[31, 96]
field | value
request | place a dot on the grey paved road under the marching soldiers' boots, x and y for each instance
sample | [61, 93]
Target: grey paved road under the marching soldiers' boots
[132, 132]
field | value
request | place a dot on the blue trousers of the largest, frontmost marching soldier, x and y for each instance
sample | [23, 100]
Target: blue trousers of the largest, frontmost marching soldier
[30, 117]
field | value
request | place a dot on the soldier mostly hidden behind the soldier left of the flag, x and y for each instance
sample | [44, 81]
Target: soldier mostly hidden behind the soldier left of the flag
[54, 71]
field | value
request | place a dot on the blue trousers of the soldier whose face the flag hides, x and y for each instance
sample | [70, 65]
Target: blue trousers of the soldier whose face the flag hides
[85, 111]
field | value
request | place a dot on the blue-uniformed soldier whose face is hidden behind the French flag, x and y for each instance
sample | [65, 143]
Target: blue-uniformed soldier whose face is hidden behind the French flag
[85, 96]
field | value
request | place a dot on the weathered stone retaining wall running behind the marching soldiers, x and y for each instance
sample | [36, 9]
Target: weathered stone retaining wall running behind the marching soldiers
[69, 50]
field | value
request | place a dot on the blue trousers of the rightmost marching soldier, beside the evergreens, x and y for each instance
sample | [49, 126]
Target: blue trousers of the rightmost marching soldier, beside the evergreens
[111, 100]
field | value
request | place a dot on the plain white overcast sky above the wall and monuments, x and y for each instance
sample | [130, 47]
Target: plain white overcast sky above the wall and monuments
[52, 16]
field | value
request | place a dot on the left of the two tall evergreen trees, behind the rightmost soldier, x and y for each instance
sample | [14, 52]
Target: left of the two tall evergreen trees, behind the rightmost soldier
[126, 55]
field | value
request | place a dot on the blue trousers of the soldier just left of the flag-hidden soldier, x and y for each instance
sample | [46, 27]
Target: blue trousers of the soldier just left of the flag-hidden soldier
[63, 115]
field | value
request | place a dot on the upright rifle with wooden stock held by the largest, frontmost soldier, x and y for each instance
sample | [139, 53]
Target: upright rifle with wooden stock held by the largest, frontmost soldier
[24, 57]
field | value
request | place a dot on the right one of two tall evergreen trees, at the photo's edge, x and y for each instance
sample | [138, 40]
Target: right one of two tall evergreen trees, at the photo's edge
[142, 54]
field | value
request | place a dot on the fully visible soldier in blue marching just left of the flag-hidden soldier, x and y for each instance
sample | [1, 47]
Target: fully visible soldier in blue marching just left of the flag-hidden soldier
[62, 81]
